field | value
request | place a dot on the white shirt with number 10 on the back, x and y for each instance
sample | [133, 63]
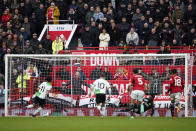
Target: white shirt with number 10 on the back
[100, 86]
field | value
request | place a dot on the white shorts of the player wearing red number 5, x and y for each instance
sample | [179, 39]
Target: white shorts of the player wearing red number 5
[137, 95]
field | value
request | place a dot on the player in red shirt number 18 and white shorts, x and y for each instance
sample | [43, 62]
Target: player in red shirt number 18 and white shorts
[176, 88]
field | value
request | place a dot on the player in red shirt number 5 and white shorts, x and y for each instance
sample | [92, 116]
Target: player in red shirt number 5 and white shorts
[137, 87]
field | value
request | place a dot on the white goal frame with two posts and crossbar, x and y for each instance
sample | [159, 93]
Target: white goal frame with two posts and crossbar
[187, 88]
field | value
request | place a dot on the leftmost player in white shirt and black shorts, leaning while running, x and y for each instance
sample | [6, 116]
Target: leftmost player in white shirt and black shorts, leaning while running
[40, 96]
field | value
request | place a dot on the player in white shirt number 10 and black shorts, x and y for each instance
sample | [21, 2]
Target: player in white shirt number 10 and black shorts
[99, 87]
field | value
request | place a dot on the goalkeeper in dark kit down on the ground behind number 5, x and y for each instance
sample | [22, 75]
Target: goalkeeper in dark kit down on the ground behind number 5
[147, 104]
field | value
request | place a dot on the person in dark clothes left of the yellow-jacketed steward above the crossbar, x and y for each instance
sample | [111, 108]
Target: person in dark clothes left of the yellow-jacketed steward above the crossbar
[47, 44]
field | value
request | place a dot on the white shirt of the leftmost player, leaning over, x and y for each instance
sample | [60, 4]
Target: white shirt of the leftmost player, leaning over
[43, 88]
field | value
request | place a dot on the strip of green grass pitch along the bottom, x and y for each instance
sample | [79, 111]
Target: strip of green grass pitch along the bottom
[96, 124]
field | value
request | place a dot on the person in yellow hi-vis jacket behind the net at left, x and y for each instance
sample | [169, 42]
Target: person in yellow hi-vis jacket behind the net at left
[26, 77]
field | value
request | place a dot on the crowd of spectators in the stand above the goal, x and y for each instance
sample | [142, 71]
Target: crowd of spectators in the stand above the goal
[102, 23]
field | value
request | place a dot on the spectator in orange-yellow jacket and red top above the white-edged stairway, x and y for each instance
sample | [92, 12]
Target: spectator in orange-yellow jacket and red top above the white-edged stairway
[53, 13]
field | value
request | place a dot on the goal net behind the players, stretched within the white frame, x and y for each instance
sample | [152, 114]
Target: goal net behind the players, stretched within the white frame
[72, 75]
